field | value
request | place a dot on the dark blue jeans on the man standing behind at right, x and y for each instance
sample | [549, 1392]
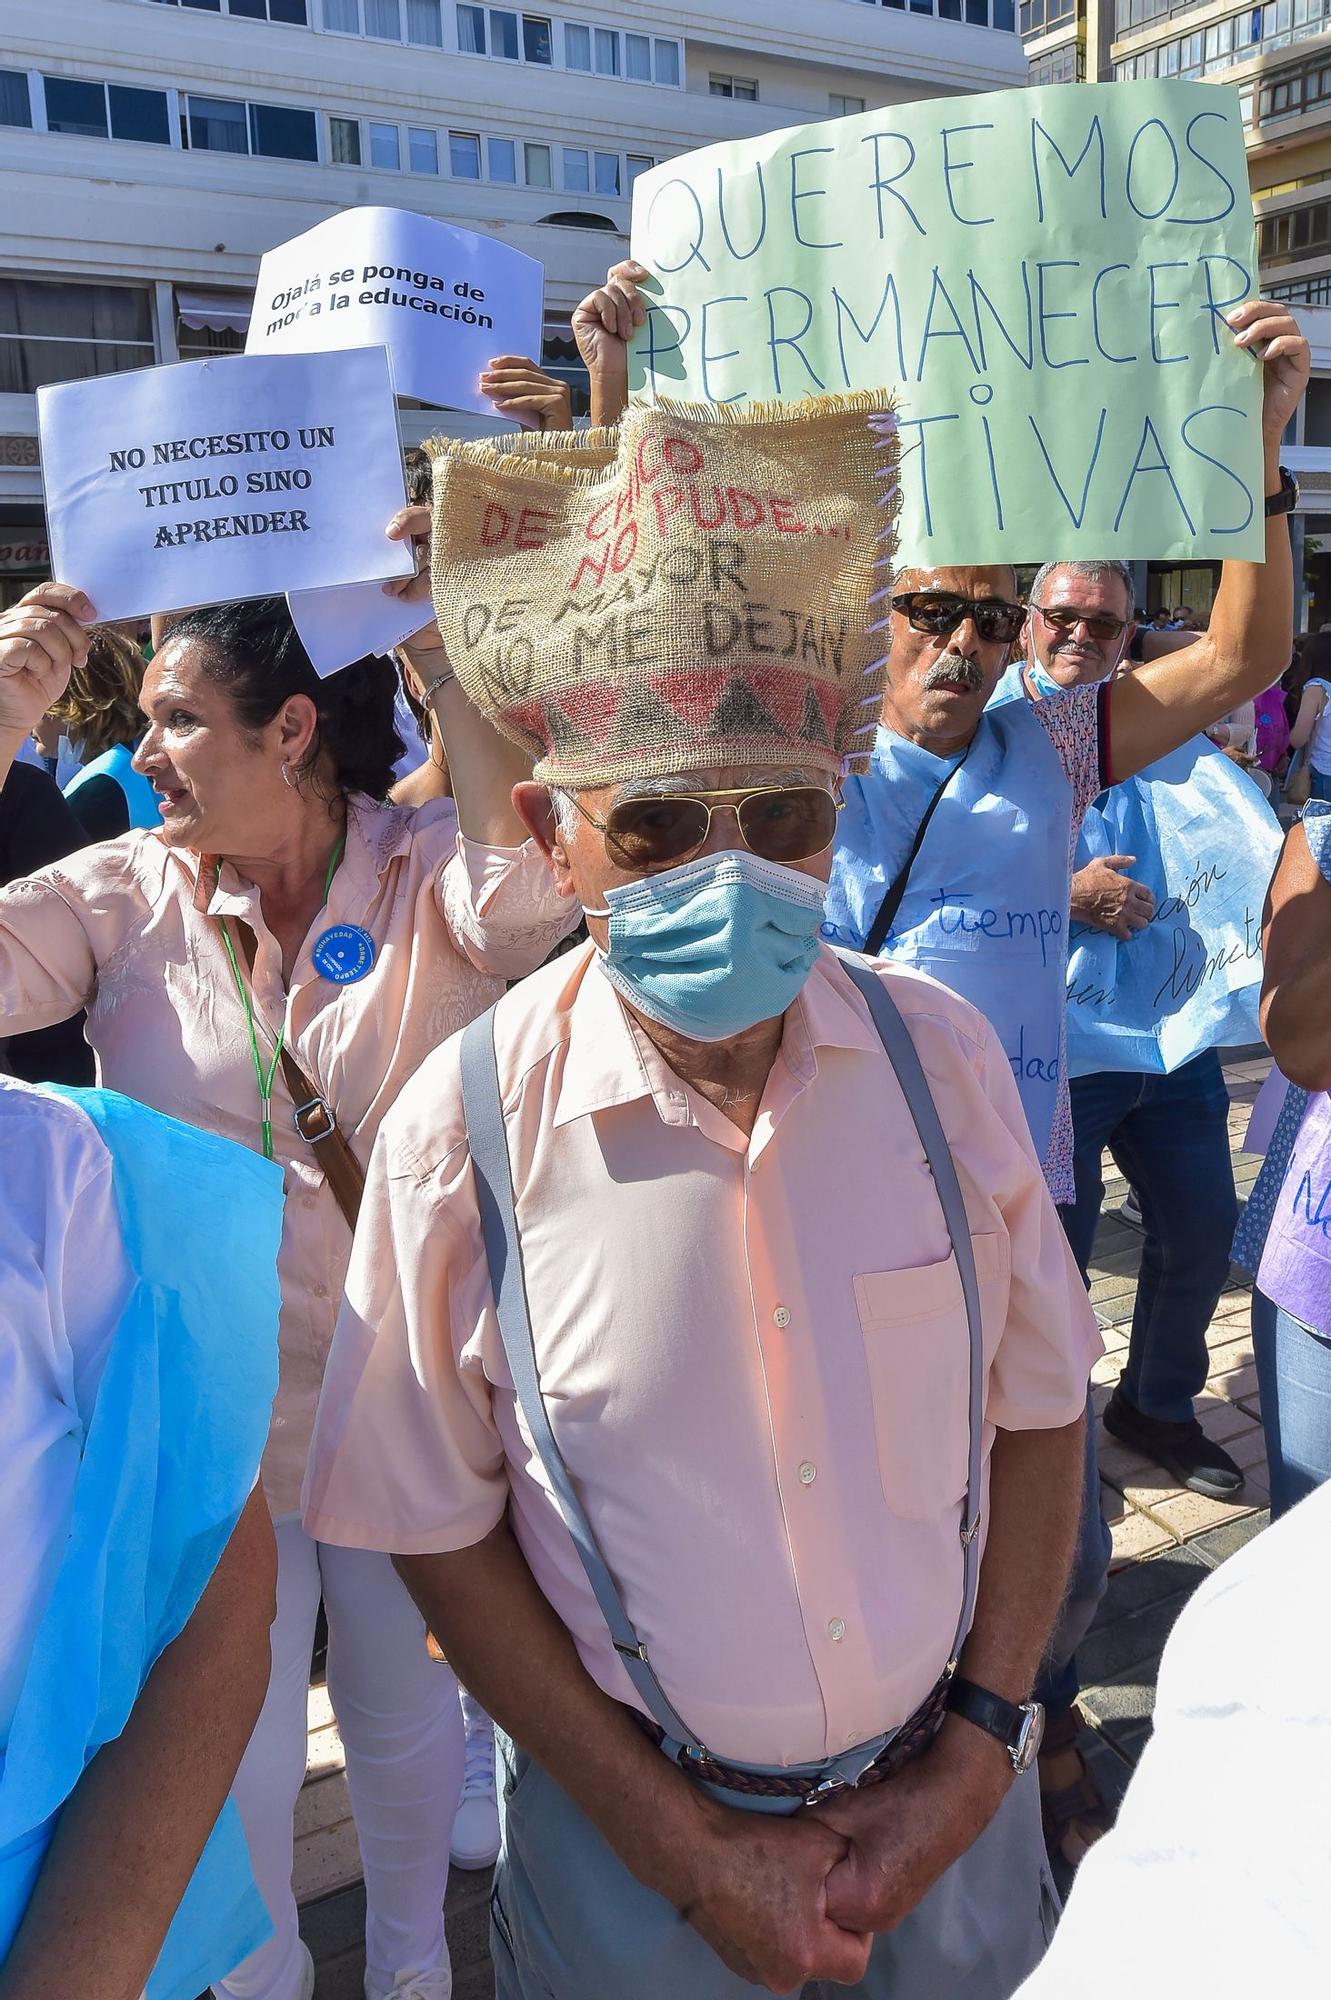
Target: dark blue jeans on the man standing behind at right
[1170, 1137]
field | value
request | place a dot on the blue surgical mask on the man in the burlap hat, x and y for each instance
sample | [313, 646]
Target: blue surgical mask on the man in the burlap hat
[712, 947]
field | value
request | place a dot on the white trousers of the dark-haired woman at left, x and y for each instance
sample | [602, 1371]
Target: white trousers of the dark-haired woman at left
[401, 1725]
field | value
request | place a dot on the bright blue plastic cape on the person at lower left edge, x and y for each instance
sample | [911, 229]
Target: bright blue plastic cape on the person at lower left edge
[169, 1463]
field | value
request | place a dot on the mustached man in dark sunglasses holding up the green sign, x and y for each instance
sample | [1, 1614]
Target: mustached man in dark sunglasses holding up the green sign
[956, 849]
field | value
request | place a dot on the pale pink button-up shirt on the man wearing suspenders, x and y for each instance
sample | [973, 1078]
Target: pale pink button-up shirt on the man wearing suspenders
[754, 1351]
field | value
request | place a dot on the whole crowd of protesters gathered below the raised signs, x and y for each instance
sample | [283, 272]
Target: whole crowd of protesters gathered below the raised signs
[601, 1207]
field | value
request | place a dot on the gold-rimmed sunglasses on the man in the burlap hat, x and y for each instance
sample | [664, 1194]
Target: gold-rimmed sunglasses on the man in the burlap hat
[782, 823]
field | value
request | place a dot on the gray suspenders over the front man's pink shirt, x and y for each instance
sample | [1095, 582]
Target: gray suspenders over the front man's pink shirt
[495, 1193]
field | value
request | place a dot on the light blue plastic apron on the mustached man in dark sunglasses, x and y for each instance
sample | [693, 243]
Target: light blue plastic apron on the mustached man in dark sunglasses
[986, 903]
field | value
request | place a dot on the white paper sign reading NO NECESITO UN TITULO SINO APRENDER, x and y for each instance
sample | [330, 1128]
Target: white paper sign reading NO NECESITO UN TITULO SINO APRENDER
[227, 479]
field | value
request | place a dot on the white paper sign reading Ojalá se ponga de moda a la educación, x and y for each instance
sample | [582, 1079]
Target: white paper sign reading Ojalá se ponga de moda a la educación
[443, 301]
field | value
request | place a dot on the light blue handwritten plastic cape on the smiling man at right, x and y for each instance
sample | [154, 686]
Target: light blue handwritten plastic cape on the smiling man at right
[1206, 845]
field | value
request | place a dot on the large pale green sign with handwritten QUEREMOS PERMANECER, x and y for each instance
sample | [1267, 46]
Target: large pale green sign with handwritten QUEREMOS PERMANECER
[1038, 275]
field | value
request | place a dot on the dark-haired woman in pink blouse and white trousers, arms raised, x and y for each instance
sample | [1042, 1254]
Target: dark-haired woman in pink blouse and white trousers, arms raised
[273, 965]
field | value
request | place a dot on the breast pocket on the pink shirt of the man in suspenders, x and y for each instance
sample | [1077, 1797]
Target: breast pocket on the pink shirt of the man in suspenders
[918, 1357]
